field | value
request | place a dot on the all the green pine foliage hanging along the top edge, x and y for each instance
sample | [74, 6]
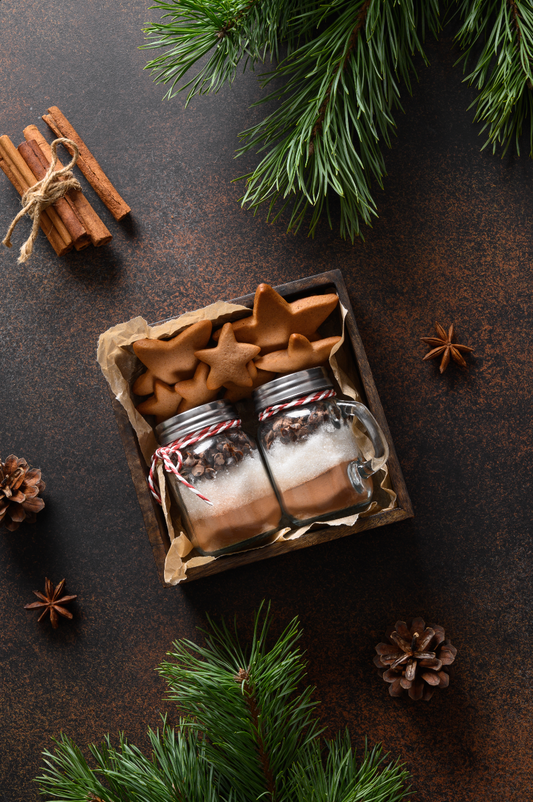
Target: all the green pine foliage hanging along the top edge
[340, 78]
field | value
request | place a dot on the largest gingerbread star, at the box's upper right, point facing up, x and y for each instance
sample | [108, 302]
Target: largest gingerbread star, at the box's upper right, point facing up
[274, 319]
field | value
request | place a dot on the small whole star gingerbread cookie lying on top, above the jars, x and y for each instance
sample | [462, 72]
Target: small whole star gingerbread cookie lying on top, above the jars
[229, 361]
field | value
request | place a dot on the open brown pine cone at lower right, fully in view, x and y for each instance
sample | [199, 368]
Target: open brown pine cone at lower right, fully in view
[417, 661]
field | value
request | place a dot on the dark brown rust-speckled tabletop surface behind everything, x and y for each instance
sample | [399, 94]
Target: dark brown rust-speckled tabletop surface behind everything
[452, 243]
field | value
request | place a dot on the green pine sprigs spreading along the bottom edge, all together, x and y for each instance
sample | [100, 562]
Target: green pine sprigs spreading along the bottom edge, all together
[248, 734]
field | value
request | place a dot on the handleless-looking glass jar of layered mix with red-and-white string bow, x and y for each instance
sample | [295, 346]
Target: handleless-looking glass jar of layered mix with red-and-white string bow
[217, 476]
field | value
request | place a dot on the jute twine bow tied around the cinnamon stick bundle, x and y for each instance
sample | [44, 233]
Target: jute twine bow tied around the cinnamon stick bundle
[54, 185]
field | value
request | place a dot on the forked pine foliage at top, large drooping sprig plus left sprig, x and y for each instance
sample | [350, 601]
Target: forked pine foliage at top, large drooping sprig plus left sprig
[341, 82]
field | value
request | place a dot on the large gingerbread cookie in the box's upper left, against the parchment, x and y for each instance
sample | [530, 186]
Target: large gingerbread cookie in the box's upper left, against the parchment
[174, 360]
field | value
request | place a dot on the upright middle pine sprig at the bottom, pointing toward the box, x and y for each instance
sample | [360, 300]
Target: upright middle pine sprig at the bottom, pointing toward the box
[246, 703]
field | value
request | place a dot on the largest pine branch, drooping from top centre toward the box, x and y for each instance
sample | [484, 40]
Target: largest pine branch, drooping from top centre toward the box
[335, 110]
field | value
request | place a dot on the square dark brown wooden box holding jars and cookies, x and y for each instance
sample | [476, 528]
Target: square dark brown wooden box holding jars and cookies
[331, 281]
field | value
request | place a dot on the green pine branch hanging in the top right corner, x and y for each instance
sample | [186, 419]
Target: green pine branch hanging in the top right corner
[503, 73]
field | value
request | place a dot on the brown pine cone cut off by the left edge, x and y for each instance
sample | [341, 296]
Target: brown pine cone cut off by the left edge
[20, 486]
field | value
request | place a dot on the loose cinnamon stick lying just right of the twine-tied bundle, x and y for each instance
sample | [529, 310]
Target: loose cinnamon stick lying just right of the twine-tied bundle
[87, 163]
